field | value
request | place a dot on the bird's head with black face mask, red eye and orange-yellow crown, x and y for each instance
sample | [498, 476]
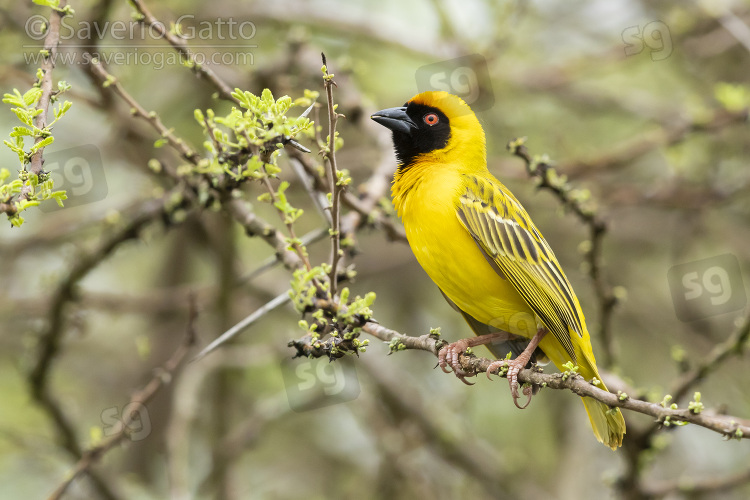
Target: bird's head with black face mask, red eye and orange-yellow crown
[434, 126]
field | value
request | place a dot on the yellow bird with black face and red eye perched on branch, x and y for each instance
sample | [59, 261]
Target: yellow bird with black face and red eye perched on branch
[478, 244]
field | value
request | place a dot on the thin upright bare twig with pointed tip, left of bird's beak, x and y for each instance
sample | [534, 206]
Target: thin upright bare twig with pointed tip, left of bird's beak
[335, 187]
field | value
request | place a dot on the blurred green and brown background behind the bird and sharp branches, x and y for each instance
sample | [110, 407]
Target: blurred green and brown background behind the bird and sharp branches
[641, 103]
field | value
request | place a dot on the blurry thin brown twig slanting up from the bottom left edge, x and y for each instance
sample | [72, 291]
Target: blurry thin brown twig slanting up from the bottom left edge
[162, 376]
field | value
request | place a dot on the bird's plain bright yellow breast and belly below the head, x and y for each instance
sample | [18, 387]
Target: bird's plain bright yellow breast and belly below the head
[426, 196]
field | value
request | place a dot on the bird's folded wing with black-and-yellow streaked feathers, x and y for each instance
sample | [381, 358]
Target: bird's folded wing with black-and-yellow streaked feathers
[504, 232]
